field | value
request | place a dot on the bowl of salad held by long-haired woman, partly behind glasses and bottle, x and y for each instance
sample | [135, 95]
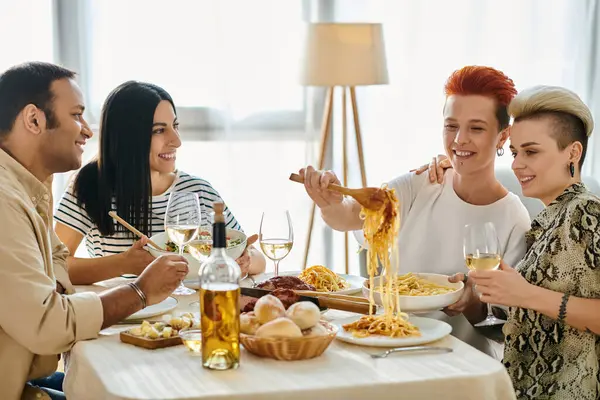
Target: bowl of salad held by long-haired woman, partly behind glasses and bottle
[236, 244]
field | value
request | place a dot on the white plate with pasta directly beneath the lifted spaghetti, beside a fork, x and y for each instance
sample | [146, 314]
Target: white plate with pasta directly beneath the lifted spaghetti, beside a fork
[417, 331]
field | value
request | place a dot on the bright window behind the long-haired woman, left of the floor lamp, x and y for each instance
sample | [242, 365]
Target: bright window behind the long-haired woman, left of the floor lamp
[238, 58]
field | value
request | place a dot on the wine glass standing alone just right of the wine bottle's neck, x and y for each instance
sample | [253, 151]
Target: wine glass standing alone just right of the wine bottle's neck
[276, 236]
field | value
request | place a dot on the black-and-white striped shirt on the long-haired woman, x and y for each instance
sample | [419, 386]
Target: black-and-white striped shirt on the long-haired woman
[73, 215]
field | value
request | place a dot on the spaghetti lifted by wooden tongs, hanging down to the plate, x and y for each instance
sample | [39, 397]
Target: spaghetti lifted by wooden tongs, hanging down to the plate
[380, 229]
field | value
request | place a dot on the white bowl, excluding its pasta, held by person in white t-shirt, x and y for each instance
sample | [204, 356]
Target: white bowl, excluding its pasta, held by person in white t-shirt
[412, 304]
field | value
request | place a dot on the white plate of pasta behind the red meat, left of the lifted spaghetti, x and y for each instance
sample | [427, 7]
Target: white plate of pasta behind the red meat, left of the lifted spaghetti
[323, 279]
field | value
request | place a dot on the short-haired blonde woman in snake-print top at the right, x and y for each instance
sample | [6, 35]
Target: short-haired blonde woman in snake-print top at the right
[552, 345]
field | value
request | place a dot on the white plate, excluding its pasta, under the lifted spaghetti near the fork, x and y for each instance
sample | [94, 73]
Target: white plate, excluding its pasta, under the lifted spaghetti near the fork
[431, 330]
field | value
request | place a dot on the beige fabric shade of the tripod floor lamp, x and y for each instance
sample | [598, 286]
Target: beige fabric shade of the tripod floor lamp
[342, 54]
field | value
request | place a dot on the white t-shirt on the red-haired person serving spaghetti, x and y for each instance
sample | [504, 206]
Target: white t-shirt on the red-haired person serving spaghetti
[431, 235]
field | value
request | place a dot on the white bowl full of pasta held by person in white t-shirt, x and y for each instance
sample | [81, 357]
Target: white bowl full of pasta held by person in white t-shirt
[420, 292]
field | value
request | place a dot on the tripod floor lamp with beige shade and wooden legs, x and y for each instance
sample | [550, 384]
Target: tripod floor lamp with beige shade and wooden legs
[344, 55]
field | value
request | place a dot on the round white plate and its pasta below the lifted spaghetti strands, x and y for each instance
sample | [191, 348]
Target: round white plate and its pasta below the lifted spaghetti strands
[373, 330]
